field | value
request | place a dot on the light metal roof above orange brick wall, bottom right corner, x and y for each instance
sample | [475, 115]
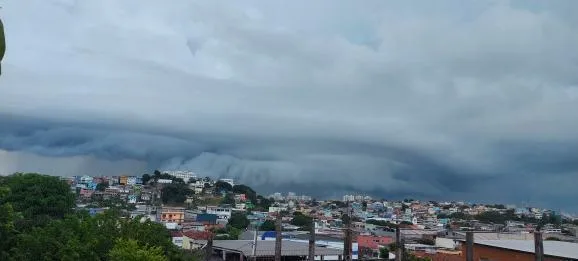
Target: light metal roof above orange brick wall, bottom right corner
[551, 248]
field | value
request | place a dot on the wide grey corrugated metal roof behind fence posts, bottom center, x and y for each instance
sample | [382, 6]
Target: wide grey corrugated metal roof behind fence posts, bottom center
[267, 248]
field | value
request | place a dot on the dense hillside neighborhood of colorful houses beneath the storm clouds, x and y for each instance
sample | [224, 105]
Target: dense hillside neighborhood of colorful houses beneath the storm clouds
[197, 209]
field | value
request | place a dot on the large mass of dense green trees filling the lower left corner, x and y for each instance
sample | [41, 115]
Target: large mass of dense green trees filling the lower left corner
[38, 222]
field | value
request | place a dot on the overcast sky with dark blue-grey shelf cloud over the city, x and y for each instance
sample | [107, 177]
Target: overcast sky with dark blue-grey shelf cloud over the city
[448, 100]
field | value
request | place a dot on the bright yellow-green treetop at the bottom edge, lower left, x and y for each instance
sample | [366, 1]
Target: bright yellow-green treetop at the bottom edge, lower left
[130, 250]
